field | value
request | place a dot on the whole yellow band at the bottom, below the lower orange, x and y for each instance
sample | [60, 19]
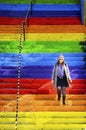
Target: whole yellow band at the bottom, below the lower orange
[46, 120]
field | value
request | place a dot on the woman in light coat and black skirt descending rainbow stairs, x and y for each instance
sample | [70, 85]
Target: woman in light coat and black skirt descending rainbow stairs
[61, 78]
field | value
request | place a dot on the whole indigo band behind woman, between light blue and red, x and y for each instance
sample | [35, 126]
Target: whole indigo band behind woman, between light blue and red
[39, 72]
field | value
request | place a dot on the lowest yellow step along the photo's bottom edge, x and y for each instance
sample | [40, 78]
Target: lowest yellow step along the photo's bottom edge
[43, 126]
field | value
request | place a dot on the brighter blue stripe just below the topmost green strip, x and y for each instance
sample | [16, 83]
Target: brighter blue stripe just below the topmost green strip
[40, 7]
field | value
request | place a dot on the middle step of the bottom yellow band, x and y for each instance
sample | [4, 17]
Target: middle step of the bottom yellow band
[48, 120]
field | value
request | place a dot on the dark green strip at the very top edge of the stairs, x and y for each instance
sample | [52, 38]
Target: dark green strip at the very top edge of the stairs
[42, 1]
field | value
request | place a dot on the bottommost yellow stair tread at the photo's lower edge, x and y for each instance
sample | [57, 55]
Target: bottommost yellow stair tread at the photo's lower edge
[46, 127]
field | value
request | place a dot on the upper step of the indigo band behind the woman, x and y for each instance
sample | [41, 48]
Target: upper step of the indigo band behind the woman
[33, 71]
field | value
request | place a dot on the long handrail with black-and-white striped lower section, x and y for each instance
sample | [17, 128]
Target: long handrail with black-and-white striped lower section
[22, 33]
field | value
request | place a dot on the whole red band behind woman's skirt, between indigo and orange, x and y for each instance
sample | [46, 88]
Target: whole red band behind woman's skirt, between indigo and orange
[38, 86]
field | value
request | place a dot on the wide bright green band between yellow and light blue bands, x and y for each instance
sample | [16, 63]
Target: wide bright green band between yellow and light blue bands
[41, 46]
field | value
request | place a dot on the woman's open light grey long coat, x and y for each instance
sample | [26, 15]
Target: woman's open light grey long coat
[55, 73]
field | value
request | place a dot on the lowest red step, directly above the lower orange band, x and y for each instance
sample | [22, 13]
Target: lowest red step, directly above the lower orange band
[41, 91]
